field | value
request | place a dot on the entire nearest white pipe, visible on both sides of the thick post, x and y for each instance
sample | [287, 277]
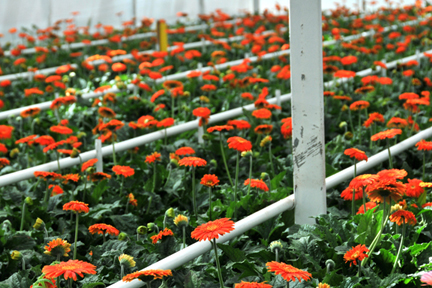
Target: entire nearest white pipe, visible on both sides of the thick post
[183, 256]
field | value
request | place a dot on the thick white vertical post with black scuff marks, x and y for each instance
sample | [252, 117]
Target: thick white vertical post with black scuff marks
[307, 106]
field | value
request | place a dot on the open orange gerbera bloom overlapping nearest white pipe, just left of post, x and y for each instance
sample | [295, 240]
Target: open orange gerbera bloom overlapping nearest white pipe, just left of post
[212, 229]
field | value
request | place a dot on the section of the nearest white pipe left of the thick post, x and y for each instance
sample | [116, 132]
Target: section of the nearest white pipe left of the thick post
[185, 255]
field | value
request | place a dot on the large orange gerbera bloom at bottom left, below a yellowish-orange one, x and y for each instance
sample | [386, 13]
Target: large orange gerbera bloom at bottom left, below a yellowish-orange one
[69, 269]
